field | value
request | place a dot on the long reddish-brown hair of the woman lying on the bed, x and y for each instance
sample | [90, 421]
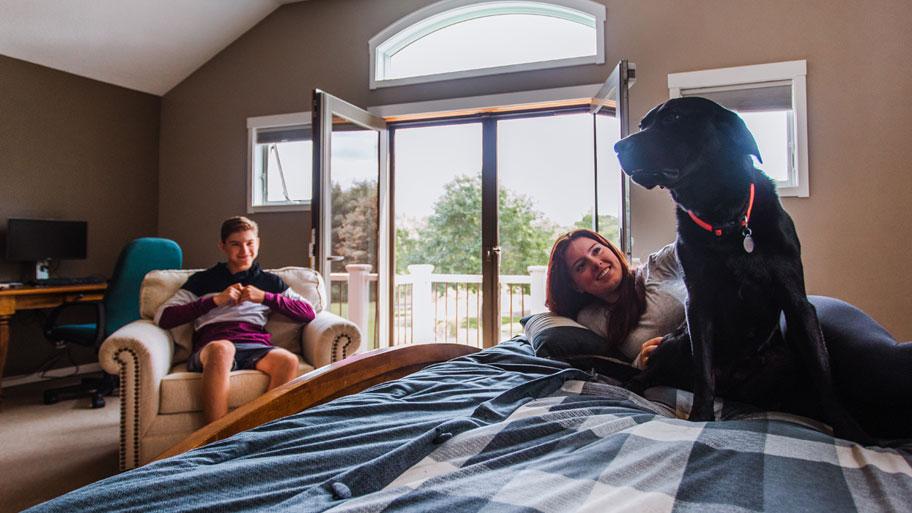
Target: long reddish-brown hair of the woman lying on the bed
[562, 298]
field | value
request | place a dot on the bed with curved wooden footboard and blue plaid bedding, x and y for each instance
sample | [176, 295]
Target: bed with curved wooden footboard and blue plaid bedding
[500, 430]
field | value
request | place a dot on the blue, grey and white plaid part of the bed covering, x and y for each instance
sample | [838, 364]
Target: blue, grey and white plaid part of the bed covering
[595, 447]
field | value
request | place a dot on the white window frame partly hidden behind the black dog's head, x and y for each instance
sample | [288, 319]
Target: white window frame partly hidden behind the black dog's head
[794, 72]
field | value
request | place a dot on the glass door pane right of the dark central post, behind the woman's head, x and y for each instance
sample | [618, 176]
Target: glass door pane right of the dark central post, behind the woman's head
[545, 171]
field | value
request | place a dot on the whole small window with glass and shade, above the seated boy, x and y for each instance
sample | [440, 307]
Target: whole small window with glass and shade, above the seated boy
[280, 163]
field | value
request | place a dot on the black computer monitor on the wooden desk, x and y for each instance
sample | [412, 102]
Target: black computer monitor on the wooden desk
[42, 240]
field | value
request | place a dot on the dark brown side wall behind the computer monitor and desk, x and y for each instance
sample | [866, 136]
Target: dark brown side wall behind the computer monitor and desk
[74, 148]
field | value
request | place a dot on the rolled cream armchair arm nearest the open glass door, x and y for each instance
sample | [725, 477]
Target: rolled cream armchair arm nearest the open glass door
[329, 339]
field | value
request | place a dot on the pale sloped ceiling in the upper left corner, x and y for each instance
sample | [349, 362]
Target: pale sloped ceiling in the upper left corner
[146, 45]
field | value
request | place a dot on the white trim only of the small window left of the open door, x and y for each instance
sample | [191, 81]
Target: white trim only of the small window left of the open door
[255, 193]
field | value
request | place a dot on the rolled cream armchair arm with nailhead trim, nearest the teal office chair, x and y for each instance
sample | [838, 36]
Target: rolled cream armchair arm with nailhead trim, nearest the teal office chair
[140, 353]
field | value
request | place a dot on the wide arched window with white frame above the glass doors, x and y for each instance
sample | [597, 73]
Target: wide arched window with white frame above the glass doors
[464, 38]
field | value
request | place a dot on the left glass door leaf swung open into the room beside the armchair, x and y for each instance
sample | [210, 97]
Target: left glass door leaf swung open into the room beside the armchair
[350, 176]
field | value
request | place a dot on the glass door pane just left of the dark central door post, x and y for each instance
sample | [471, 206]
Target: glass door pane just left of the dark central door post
[437, 190]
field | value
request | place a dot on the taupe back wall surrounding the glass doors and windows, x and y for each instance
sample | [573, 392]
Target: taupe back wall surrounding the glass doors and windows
[854, 230]
